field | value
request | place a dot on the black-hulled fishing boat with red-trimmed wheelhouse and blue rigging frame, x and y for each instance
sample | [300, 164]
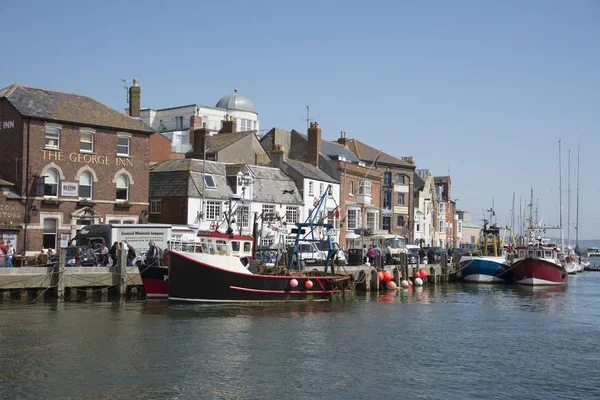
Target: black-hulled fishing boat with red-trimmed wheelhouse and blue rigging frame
[218, 274]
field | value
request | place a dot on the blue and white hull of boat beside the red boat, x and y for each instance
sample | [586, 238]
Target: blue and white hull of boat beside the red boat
[485, 270]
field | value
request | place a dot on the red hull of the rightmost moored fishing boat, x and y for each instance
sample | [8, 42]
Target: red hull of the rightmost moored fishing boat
[539, 272]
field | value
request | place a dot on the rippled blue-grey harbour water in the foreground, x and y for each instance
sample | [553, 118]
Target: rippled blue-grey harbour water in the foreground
[449, 341]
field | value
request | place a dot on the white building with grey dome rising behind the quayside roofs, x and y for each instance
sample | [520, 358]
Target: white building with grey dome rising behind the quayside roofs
[174, 122]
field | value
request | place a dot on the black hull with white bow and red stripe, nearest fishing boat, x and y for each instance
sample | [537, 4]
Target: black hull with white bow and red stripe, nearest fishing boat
[198, 278]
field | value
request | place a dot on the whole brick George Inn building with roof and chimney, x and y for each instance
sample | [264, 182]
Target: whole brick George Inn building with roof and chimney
[71, 161]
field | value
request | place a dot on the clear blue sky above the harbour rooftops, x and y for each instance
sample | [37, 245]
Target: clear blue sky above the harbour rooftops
[481, 90]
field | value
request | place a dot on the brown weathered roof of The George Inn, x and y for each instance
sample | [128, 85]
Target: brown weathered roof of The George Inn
[53, 105]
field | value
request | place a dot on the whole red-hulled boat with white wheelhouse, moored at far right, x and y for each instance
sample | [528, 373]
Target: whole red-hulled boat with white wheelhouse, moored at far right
[539, 265]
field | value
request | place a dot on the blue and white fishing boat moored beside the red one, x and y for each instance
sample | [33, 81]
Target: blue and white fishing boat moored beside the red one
[490, 260]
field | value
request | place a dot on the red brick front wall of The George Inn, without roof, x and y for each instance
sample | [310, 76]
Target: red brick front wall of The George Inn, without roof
[24, 153]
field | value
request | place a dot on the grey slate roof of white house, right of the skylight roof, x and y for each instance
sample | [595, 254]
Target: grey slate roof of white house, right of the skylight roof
[267, 192]
